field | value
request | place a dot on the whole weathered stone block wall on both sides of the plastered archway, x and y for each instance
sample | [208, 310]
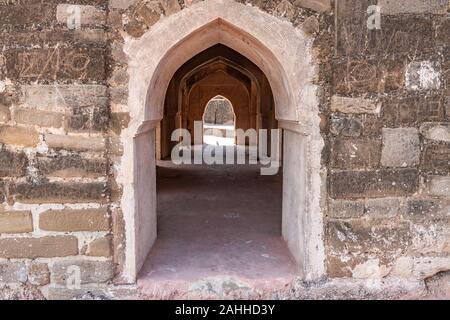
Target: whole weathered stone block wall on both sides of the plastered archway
[385, 110]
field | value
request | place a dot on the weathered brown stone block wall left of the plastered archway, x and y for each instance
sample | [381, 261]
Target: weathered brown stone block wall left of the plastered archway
[55, 149]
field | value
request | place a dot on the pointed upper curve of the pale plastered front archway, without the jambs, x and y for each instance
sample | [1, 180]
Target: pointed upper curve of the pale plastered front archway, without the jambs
[278, 49]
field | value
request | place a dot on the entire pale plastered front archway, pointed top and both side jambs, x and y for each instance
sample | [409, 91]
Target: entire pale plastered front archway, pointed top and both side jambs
[284, 54]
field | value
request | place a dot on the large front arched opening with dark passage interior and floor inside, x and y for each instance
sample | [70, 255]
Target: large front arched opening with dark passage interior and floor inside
[218, 218]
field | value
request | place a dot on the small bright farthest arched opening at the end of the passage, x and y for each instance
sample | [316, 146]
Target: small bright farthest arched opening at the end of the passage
[219, 123]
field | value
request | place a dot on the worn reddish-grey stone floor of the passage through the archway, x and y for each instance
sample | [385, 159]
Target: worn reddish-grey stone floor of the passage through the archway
[219, 229]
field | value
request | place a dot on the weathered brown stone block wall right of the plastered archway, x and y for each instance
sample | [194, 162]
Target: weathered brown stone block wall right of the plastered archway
[388, 146]
